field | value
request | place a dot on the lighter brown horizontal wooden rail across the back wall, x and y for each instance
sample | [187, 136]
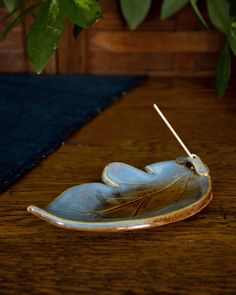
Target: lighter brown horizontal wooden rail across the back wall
[153, 42]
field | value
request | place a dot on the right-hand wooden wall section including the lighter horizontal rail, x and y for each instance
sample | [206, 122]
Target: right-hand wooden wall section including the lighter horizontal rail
[175, 46]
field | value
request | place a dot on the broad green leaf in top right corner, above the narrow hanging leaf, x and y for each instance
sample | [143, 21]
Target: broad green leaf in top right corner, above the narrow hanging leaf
[218, 11]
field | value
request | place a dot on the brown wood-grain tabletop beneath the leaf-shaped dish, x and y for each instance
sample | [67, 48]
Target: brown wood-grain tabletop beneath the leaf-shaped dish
[194, 256]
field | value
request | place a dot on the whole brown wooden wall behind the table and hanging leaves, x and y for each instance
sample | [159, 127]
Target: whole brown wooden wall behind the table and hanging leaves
[174, 47]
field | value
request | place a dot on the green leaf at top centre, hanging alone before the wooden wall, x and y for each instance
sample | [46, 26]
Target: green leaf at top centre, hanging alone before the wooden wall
[135, 11]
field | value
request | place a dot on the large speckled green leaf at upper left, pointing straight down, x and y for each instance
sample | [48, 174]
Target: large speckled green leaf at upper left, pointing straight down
[45, 33]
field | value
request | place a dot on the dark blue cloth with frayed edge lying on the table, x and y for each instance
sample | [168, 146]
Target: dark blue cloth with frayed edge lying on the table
[37, 113]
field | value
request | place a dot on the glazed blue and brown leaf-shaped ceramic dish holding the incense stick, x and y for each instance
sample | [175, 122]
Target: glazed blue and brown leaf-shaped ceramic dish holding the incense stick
[131, 198]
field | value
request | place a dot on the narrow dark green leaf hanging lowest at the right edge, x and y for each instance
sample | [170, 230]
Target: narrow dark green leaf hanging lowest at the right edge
[223, 70]
